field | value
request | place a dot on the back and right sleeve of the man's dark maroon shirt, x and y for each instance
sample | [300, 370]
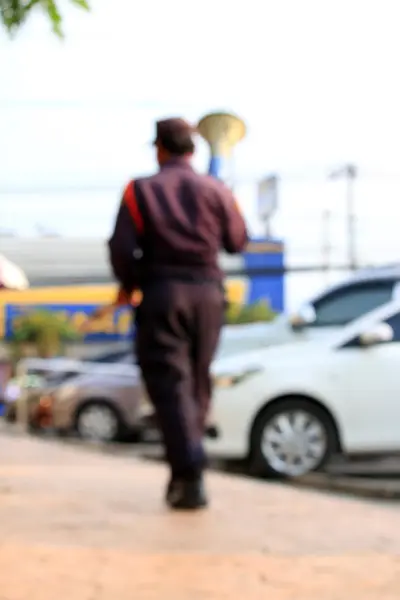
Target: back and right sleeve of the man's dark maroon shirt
[187, 219]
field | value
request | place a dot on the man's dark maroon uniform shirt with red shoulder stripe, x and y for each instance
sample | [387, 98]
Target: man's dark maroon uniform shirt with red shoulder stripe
[173, 225]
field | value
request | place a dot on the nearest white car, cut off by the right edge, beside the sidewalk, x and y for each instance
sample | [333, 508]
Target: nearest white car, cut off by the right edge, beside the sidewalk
[289, 409]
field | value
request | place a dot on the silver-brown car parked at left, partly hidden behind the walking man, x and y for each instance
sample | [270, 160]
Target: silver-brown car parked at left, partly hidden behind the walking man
[100, 398]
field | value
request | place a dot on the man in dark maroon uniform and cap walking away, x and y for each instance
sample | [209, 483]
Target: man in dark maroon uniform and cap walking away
[168, 233]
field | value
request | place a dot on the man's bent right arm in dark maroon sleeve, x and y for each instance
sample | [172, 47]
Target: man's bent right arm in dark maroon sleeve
[234, 231]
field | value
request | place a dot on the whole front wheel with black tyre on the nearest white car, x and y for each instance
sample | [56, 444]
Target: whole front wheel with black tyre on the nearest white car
[292, 438]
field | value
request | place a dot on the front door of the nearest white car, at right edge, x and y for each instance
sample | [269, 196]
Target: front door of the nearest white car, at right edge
[368, 390]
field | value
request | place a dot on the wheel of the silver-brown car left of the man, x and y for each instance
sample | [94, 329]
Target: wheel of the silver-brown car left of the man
[98, 421]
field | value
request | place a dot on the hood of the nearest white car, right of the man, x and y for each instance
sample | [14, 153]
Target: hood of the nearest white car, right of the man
[293, 354]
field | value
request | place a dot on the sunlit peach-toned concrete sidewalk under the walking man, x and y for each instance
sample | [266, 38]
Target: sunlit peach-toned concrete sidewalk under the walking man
[82, 526]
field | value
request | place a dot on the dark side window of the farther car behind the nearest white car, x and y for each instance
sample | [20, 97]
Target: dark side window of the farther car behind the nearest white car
[347, 304]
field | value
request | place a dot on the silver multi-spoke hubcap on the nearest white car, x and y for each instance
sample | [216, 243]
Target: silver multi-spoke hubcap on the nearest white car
[294, 443]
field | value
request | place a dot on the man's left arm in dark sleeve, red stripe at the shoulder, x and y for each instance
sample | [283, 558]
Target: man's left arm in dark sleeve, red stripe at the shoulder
[124, 248]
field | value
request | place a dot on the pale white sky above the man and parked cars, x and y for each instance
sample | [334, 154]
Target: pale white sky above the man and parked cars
[316, 82]
